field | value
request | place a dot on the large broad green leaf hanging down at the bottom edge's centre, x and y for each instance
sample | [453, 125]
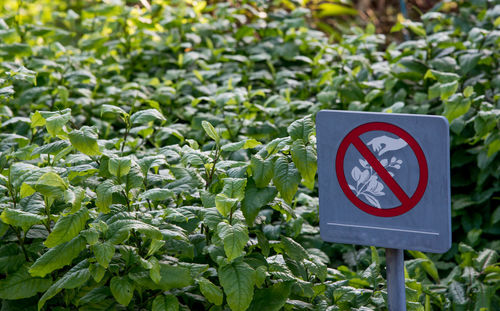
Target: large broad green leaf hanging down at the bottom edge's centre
[237, 280]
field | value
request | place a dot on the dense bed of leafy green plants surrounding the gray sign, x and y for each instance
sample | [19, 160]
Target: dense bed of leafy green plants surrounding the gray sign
[161, 156]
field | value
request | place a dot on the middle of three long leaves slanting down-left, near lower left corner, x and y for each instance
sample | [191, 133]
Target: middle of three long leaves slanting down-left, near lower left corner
[58, 257]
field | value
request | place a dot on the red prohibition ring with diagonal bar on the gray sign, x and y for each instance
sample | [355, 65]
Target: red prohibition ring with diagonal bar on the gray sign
[407, 202]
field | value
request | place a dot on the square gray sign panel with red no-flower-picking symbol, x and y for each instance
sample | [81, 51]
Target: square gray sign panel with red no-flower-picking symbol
[384, 180]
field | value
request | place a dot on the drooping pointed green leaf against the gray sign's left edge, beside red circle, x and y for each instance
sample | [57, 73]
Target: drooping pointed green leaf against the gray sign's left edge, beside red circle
[305, 160]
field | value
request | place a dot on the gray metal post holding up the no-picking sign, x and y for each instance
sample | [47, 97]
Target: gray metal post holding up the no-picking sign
[395, 279]
